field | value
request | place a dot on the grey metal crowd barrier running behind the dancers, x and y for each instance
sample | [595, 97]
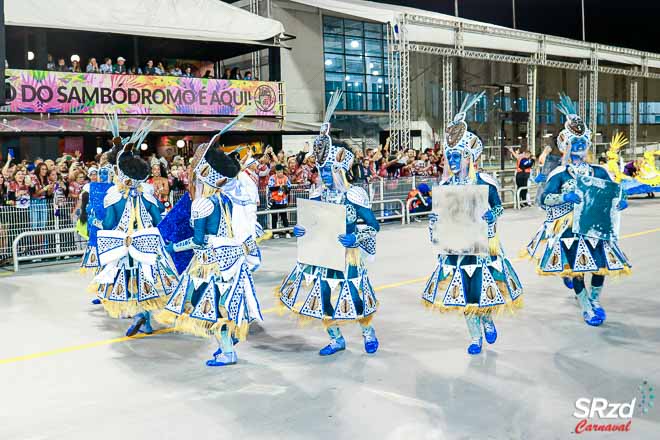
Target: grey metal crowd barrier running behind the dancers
[47, 229]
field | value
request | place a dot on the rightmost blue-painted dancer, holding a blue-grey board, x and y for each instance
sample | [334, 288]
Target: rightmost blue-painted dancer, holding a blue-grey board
[568, 253]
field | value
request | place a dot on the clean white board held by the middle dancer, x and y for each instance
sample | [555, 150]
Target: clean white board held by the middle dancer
[323, 223]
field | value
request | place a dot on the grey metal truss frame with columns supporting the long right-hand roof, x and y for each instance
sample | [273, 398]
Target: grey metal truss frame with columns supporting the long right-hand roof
[399, 48]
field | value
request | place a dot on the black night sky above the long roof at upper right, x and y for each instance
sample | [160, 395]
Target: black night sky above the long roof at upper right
[624, 23]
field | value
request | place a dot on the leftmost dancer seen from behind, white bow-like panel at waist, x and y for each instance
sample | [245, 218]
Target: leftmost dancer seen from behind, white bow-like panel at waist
[137, 274]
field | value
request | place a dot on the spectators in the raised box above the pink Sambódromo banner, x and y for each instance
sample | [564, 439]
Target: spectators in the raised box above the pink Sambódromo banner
[119, 67]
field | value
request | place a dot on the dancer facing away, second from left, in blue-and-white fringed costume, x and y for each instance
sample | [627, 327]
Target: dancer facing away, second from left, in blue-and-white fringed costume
[216, 295]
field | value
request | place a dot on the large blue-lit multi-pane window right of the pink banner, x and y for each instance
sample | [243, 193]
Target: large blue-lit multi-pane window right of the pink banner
[362, 78]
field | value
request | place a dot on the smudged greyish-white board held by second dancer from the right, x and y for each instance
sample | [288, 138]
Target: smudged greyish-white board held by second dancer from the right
[460, 229]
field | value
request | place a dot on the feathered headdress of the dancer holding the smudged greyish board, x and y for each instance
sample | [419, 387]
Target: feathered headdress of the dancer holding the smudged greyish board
[457, 136]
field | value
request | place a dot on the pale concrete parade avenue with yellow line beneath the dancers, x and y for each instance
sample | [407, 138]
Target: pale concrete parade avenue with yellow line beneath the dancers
[69, 373]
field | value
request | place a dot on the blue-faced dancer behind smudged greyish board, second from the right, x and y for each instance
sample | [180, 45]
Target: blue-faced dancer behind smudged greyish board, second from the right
[477, 286]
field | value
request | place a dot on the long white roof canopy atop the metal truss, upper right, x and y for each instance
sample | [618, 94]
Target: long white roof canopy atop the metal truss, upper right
[435, 28]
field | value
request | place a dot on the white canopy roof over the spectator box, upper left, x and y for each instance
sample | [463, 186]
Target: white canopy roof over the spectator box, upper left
[205, 20]
